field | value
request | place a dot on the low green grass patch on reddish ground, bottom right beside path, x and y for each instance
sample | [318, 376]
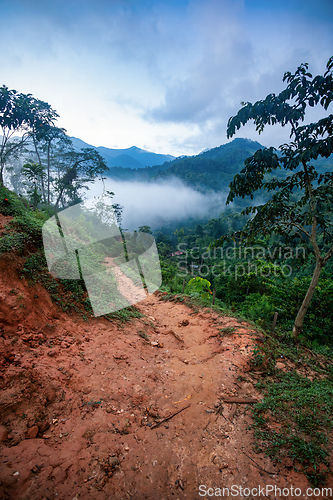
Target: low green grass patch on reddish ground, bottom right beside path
[295, 420]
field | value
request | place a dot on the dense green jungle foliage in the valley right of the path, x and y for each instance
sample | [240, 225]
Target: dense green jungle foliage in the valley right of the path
[254, 281]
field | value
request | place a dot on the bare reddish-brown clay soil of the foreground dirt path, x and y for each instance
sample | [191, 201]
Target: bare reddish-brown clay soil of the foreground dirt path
[83, 402]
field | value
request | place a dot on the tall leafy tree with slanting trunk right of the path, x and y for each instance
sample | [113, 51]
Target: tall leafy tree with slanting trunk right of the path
[301, 202]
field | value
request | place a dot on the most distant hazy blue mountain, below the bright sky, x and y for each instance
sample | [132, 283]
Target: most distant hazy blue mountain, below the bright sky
[128, 158]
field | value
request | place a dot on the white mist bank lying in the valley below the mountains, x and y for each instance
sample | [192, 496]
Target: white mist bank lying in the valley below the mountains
[156, 203]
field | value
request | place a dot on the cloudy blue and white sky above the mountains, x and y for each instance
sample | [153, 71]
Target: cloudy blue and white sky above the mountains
[163, 75]
